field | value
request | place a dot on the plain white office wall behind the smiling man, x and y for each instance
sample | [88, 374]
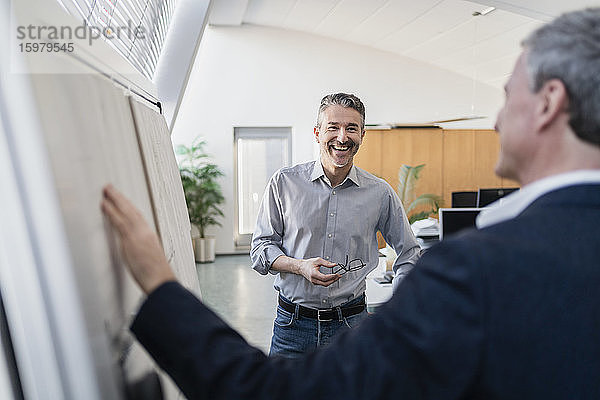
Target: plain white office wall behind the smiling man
[256, 76]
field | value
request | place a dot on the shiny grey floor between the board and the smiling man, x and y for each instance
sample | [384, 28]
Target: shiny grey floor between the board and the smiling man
[241, 296]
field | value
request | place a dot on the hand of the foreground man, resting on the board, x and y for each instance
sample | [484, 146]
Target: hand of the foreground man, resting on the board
[139, 243]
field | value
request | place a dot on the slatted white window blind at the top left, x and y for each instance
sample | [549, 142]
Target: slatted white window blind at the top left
[136, 29]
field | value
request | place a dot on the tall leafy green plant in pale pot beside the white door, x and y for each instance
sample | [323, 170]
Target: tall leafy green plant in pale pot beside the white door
[203, 195]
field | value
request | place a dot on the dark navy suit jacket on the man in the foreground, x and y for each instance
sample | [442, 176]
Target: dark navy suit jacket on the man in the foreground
[508, 312]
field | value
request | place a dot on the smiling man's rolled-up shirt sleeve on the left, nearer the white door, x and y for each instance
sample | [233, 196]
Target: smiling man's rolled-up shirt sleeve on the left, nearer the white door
[267, 239]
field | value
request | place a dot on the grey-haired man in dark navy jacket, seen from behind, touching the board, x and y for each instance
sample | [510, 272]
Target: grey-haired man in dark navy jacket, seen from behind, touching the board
[511, 310]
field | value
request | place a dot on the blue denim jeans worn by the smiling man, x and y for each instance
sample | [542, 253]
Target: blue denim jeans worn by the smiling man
[294, 335]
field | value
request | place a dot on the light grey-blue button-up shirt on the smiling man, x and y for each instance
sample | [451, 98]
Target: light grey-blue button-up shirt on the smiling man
[302, 216]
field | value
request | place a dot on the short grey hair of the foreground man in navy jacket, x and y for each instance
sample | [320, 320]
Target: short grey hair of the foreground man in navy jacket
[568, 49]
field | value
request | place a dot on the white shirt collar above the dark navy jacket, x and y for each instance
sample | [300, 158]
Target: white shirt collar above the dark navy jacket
[512, 205]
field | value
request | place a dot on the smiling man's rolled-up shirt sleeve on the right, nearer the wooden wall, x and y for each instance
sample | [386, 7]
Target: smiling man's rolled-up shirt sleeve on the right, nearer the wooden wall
[398, 234]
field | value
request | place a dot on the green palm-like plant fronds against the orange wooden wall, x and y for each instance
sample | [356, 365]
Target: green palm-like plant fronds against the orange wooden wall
[427, 203]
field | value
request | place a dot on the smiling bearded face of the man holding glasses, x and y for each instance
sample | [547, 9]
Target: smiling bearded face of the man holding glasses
[339, 136]
